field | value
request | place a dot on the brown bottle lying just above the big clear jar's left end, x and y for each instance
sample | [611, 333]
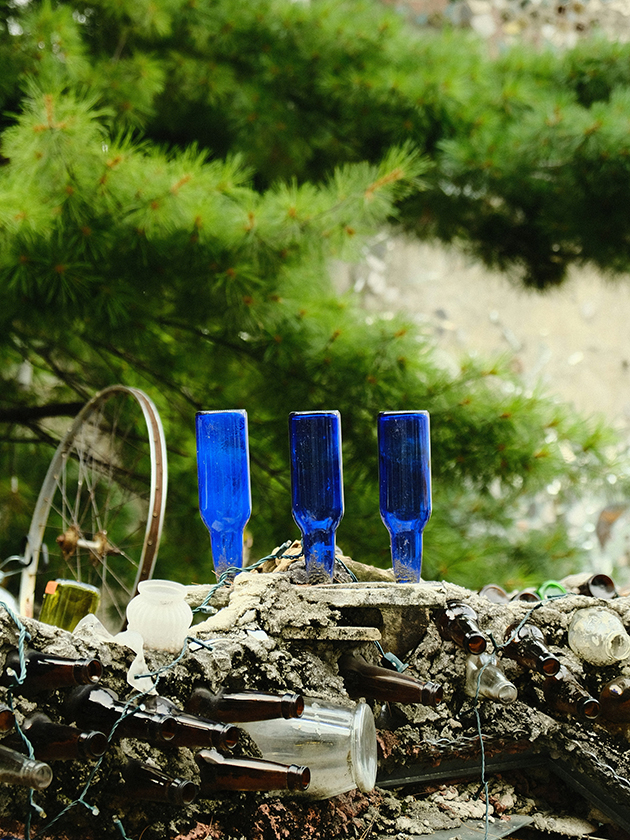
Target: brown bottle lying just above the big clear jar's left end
[245, 706]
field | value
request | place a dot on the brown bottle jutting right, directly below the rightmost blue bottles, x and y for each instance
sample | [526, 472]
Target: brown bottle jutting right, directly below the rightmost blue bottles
[384, 684]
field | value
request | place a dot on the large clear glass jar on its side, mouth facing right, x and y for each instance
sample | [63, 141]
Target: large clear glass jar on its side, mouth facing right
[336, 743]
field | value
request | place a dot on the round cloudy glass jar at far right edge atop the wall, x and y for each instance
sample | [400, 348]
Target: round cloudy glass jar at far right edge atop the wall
[598, 636]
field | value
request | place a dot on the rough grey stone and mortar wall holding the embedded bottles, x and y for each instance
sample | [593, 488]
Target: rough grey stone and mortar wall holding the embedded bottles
[254, 641]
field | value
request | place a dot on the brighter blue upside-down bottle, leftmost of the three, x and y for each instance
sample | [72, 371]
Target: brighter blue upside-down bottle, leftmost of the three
[224, 485]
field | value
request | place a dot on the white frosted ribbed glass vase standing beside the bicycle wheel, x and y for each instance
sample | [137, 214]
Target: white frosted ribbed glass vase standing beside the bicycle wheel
[160, 614]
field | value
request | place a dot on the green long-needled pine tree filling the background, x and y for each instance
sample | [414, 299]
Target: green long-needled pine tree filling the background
[176, 178]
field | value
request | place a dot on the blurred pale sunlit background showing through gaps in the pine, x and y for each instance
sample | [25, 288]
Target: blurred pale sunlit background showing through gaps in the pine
[574, 342]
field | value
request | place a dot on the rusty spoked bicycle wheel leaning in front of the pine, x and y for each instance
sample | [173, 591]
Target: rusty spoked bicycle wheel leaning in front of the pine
[101, 507]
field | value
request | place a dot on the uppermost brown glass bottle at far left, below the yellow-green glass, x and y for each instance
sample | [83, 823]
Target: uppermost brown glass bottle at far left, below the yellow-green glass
[46, 672]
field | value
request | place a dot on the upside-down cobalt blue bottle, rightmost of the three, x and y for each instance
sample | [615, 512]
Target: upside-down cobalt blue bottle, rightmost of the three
[404, 446]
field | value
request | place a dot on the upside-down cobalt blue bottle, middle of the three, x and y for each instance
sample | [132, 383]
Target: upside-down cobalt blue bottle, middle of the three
[316, 486]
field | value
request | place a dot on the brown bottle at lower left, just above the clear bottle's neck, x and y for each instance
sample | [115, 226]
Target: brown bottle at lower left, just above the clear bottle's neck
[58, 742]
